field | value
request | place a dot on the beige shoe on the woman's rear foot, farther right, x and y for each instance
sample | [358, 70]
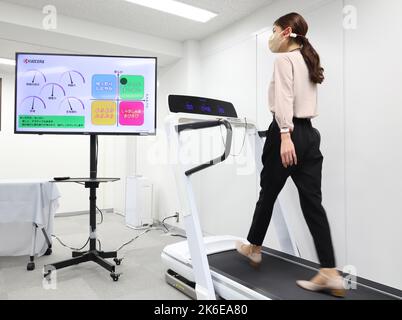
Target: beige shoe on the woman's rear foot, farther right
[333, 285]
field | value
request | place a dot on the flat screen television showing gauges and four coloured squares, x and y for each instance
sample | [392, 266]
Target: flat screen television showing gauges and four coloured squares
[85, 94]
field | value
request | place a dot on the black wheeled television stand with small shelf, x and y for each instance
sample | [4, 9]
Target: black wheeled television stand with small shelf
[92, 254]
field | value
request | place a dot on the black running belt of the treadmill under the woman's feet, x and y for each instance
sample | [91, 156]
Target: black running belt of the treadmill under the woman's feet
[276, 277]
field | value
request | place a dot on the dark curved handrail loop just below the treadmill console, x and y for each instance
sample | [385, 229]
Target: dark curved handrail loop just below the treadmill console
[209, 124]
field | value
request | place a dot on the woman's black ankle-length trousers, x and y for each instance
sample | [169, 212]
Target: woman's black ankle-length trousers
[307, 178]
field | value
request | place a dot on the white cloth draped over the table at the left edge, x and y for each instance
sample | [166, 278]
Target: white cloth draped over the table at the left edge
[22, 203]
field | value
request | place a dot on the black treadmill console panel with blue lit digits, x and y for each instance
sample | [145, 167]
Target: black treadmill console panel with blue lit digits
[199, 105]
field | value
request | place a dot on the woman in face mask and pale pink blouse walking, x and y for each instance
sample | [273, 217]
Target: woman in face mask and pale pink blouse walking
[292, 149]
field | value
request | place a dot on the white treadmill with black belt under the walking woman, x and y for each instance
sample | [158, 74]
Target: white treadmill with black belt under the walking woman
[209, 268]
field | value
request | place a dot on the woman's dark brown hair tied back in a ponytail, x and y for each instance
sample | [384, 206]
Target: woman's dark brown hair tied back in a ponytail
[300, 27]
